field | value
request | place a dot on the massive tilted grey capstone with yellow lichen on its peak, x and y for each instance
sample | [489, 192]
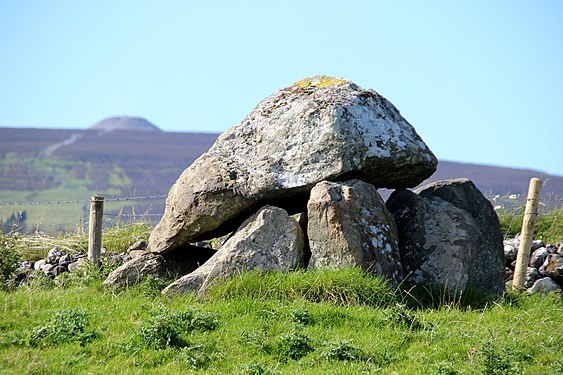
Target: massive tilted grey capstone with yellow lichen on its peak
[320, 128]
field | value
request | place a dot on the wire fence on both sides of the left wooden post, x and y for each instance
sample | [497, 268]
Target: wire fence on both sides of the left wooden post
[56, 216]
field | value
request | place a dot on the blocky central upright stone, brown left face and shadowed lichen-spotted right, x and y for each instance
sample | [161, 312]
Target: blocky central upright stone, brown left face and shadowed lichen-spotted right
[349, 225]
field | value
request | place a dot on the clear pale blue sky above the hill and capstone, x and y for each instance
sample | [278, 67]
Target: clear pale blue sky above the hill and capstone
[481, 81]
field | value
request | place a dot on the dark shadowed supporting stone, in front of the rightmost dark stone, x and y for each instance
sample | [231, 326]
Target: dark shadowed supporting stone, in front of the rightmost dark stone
[437, 240]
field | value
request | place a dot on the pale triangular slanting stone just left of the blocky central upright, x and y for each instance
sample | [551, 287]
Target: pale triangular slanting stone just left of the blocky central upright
[268, 240]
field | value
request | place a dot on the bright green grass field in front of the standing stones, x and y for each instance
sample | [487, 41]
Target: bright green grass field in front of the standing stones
[98, 330]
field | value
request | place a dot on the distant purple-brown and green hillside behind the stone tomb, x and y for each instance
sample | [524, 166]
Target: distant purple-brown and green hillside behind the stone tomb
[55, 165]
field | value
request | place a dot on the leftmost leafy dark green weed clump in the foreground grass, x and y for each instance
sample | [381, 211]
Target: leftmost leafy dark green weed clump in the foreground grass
[67, 326]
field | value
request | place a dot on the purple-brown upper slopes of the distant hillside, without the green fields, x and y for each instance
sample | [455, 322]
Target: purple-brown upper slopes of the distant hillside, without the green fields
[154, 160]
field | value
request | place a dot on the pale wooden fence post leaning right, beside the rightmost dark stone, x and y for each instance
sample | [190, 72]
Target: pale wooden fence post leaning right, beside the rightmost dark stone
[527, 234]
